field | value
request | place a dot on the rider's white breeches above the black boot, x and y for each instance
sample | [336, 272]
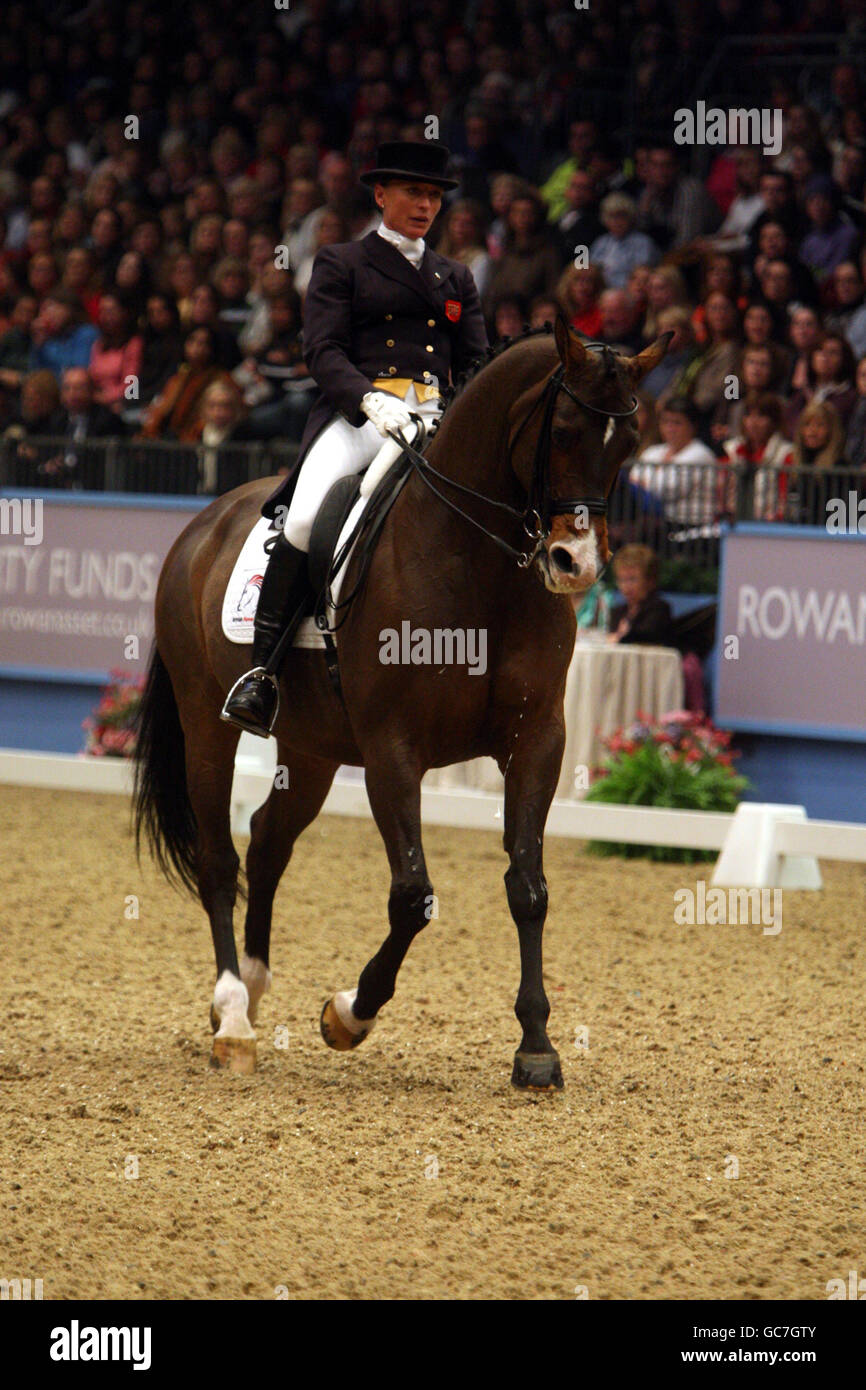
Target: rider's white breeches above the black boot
[338, 451]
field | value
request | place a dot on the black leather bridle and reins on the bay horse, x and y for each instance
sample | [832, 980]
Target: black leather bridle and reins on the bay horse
[543, 505]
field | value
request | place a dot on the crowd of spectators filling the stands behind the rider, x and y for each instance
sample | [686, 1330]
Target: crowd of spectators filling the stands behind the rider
[169, 176]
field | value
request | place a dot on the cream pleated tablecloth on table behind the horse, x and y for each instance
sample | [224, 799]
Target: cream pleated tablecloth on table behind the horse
[608, 685]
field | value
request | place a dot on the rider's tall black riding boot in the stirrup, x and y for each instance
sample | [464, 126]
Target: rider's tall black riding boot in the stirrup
[254, 701]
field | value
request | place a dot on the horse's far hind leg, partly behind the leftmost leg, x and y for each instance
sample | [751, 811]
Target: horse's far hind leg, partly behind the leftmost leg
[295, 800]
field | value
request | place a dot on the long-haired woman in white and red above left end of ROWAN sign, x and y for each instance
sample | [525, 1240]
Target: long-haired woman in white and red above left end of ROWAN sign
[761, 458]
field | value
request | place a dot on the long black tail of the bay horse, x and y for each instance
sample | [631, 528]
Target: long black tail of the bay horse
[162, 810]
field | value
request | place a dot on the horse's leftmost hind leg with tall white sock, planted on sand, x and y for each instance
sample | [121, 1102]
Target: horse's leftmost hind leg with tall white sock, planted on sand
[211, 765]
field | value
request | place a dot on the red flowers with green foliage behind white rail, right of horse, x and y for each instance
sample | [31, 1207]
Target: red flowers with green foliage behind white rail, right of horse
[682, 761]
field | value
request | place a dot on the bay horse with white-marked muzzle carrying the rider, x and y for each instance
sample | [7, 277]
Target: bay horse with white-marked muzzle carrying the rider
[529, 444]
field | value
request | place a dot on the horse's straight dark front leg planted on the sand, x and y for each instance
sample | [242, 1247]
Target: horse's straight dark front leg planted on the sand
[530, 782]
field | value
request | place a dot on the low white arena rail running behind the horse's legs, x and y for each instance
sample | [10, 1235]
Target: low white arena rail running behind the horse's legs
[761, 844]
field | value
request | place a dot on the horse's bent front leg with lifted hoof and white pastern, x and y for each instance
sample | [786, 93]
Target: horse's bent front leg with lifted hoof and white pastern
[395, 799]
